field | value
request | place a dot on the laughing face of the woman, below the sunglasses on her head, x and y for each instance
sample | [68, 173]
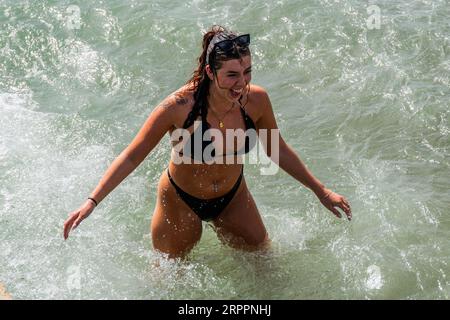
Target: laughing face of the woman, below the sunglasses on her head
[230, 80]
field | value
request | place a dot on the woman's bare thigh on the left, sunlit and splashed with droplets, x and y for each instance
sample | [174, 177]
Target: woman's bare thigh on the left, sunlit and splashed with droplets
[175, 228]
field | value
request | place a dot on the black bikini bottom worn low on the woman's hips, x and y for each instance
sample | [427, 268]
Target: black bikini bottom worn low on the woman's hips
[207, 209]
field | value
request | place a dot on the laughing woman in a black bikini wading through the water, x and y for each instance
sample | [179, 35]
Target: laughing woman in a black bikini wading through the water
[219, 96]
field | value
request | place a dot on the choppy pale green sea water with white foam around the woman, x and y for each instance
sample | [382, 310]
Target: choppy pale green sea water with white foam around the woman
[367, 110]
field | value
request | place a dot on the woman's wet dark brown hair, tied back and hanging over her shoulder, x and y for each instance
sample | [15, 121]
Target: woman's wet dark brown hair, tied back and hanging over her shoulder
[200, 80]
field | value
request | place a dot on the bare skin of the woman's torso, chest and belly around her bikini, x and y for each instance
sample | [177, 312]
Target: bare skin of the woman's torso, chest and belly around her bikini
[210, 180]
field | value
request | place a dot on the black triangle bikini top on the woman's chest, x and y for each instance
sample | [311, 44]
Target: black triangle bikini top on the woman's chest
[250, 140]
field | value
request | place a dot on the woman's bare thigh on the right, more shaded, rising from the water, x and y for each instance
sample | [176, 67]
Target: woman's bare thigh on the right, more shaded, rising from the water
[240, 224]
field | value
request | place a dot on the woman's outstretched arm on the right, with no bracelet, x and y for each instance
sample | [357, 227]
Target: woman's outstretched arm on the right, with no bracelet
[290, 162]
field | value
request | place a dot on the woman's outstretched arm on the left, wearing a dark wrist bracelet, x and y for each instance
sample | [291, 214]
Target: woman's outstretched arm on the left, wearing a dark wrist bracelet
[154, 128]
